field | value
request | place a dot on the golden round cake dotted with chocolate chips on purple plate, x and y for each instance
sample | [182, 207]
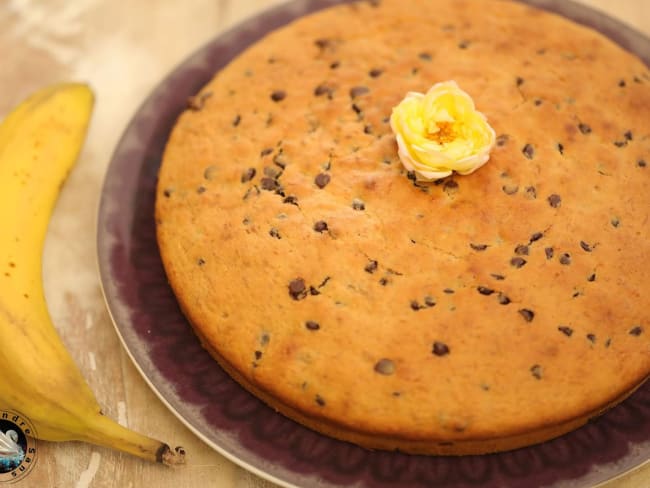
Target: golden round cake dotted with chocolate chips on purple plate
[471, 314]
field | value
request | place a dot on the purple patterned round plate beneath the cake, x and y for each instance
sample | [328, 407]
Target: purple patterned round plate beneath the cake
[192, 385]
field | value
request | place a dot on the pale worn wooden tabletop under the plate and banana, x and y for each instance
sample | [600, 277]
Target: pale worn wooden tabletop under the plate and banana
[123, 49]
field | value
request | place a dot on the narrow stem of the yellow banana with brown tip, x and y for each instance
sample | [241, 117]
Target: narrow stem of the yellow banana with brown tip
[107, 433]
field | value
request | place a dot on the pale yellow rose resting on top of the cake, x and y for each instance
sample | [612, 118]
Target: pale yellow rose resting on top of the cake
[440, 132]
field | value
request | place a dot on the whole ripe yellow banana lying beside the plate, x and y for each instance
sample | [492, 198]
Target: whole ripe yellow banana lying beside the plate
[40, 141]
